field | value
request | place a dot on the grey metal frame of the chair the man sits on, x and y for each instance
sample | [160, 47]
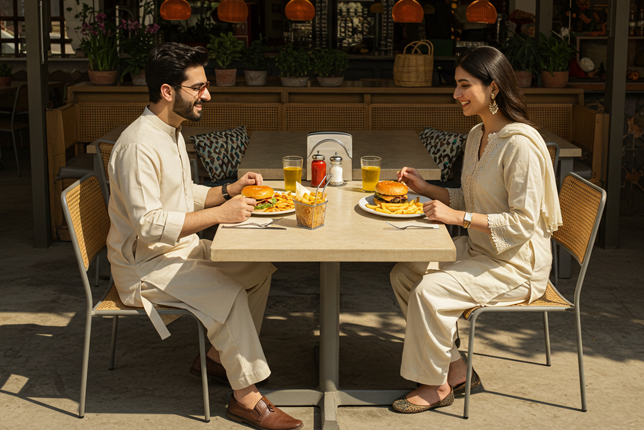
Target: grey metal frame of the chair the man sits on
[93, 311]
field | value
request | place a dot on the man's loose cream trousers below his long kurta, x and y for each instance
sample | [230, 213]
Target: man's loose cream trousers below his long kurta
[237, 338]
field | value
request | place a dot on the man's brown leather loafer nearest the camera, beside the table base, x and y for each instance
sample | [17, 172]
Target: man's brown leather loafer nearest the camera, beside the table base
[264, 416]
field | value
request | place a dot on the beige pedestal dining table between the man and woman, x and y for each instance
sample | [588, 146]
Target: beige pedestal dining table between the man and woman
[349, 234]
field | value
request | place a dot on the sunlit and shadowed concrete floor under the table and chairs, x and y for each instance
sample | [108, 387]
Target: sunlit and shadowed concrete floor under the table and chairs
[42, 321]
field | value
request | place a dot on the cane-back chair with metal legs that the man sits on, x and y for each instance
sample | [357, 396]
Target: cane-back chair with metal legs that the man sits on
[86, 215]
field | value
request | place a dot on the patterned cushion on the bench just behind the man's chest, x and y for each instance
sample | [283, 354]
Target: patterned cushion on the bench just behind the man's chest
[222, 151]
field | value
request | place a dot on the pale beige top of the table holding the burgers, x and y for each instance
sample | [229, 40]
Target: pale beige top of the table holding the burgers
[348, 234]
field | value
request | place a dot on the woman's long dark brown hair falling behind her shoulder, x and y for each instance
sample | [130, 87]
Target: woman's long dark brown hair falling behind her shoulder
[488, 64]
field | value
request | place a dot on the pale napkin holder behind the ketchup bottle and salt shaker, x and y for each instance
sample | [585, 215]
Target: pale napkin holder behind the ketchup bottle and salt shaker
[328, 143]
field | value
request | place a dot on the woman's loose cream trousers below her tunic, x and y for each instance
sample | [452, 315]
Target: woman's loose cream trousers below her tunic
[432, 305]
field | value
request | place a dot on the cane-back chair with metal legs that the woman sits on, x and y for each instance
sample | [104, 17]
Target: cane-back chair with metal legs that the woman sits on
[582, 204]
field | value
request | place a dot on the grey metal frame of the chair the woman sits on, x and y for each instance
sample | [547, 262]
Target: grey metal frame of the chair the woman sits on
[573, 307]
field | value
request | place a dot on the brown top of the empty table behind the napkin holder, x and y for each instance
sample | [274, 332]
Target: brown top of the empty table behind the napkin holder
[397, 149]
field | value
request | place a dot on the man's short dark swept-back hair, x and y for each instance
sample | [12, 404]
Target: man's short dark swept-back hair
[167, 64]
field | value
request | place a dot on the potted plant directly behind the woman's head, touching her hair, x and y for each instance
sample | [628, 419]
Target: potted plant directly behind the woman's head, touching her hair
[522, 51]
